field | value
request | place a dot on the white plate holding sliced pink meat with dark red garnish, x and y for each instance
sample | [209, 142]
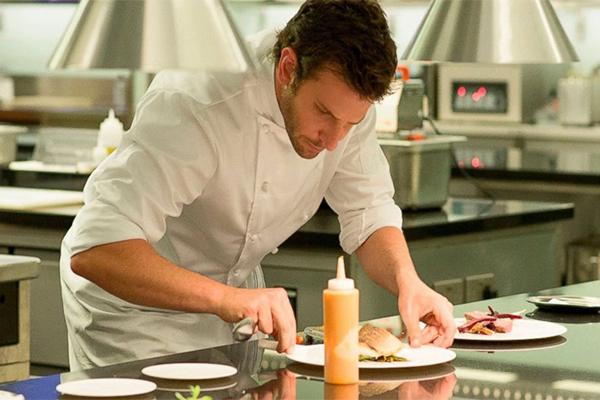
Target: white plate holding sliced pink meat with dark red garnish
[523, 329]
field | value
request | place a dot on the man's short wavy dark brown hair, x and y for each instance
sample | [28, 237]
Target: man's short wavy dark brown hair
[351, 37]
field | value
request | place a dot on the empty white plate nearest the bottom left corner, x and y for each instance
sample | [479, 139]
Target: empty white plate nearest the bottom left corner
[108, 387]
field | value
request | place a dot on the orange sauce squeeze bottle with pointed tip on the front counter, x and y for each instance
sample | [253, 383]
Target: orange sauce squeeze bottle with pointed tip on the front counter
[340, 317]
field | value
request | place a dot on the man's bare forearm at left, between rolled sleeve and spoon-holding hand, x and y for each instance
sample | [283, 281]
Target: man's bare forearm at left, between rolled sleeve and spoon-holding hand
[133, 271]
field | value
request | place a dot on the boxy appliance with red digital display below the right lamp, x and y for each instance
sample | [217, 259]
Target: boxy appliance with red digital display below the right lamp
[494, 93]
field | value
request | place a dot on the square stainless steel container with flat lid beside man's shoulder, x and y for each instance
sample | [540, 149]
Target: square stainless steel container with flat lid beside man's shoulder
[420, 170]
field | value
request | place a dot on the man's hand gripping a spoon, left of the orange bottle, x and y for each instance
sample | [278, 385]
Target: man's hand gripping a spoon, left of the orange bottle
[270, 310]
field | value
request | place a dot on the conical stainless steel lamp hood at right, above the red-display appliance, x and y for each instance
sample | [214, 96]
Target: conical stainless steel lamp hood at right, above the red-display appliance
[491, 31]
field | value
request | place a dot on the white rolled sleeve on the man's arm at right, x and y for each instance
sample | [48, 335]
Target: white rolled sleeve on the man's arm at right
[361, 191]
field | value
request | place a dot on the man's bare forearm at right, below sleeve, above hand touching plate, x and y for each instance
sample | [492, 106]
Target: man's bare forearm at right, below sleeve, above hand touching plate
[386, 259]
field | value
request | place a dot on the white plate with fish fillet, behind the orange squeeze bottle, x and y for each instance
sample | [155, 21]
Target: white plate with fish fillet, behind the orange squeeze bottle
[421, 357]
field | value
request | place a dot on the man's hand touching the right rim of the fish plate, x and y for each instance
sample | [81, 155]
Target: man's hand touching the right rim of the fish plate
[417, 302]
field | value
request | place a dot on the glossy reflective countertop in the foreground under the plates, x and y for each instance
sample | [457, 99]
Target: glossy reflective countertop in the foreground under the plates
[565, 367]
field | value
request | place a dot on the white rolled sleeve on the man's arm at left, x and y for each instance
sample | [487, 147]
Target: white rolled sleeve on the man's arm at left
[150, 177]
